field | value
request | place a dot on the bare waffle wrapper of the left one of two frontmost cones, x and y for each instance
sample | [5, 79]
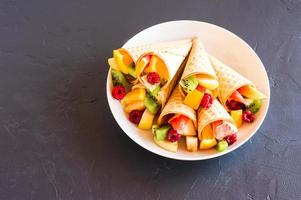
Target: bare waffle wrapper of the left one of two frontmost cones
[175, 105]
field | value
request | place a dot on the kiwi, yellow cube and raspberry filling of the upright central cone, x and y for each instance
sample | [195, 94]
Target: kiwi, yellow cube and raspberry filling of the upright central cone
[198, 91]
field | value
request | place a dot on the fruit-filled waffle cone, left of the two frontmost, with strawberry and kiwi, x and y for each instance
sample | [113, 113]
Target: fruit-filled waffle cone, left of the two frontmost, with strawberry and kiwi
[176, 121]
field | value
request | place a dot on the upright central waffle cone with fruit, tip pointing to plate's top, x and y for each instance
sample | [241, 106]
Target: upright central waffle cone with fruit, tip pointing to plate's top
[198, 83]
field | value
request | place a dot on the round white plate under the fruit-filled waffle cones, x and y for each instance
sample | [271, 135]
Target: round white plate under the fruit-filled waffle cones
[219, 42]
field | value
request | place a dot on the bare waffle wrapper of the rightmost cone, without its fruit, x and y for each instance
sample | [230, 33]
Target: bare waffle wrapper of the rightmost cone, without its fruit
[229, 79]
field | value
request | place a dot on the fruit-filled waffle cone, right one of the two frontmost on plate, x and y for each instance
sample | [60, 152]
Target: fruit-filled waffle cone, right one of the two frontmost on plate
[216, 128]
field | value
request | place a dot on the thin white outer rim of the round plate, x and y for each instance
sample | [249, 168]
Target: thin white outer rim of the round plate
[174, 157]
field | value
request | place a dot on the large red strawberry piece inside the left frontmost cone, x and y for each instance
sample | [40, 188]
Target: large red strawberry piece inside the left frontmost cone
[183, 125]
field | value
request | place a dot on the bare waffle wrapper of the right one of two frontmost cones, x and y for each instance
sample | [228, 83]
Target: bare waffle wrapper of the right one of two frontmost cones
[214, 113]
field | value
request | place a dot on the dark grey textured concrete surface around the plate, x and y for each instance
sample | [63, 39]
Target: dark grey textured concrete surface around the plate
[58, 139]
